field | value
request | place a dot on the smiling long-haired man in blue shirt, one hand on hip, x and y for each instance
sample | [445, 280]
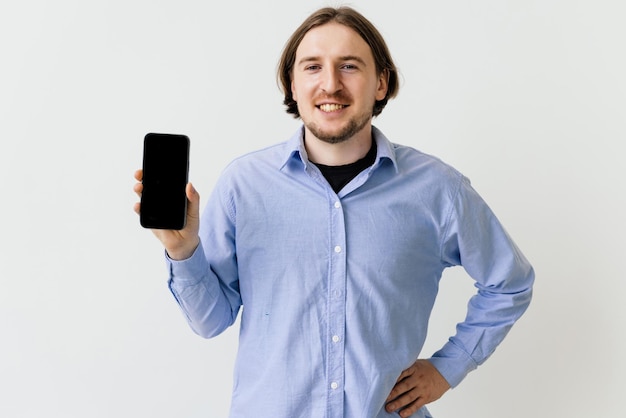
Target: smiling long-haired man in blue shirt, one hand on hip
[334, 243]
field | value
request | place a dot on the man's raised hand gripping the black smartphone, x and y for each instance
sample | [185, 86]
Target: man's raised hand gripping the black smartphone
[181, 244]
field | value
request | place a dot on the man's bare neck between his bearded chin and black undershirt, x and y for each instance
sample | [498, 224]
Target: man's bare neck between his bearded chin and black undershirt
[341, 153]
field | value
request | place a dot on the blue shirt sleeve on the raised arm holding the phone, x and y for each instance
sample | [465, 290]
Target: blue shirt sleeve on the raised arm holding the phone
[206, 285]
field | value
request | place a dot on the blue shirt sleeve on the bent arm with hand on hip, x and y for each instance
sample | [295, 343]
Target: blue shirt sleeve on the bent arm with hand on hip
[476, 240]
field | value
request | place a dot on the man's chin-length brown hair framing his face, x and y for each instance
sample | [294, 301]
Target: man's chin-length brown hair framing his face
[357, 22]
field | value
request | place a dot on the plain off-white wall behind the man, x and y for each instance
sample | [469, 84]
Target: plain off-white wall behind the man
[526, 98]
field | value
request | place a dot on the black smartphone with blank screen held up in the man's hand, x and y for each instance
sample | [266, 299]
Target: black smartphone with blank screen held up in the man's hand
[165, 174]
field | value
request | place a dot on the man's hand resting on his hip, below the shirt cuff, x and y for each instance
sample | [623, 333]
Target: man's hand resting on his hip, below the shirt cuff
[417, 386]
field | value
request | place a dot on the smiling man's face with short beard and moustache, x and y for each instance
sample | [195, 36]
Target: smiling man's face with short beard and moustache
[335, 83]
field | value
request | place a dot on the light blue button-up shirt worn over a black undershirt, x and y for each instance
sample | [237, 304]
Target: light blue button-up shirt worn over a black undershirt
[335, 290]
